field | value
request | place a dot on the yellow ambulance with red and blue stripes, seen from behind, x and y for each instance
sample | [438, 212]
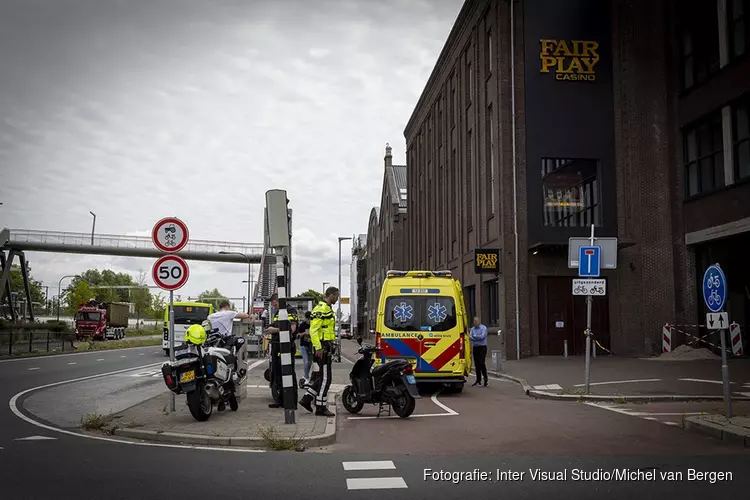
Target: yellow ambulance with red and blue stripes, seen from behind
[422, 318]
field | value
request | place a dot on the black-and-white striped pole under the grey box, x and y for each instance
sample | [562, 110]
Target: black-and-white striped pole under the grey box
[288, 380]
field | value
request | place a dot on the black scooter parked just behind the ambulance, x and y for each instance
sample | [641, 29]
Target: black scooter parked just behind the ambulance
[390, 385]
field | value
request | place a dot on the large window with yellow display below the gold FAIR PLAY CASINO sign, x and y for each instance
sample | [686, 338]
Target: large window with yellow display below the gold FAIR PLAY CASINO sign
[571, 190]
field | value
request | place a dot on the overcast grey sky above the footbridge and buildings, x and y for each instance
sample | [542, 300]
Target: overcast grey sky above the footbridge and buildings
[140, 109]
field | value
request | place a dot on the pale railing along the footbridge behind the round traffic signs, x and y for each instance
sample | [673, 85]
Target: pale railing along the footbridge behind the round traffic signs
[125, 241]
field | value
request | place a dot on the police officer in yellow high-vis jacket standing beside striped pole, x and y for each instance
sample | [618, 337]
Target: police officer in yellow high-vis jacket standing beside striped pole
[323, 336]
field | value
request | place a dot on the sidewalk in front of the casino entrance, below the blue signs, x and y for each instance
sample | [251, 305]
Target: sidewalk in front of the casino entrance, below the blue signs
[647, 378]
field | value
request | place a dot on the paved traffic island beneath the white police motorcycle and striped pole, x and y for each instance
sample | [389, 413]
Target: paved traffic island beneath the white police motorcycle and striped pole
[253, 425]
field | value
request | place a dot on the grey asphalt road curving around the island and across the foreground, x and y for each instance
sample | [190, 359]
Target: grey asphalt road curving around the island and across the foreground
[495, 428]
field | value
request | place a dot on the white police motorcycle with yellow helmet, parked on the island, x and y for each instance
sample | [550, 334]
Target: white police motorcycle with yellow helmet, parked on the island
[208, 369]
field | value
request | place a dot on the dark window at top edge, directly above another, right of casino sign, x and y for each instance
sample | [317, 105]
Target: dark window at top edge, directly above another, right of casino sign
[700, 41]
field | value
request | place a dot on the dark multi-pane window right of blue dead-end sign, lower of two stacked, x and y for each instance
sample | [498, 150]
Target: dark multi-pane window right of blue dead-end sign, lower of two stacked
[703, 148]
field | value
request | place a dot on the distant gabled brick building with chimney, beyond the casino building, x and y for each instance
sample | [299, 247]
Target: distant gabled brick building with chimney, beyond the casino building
[385, 233]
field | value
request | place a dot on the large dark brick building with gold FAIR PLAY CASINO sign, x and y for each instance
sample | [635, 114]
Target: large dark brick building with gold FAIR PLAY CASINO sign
[543, 117]
